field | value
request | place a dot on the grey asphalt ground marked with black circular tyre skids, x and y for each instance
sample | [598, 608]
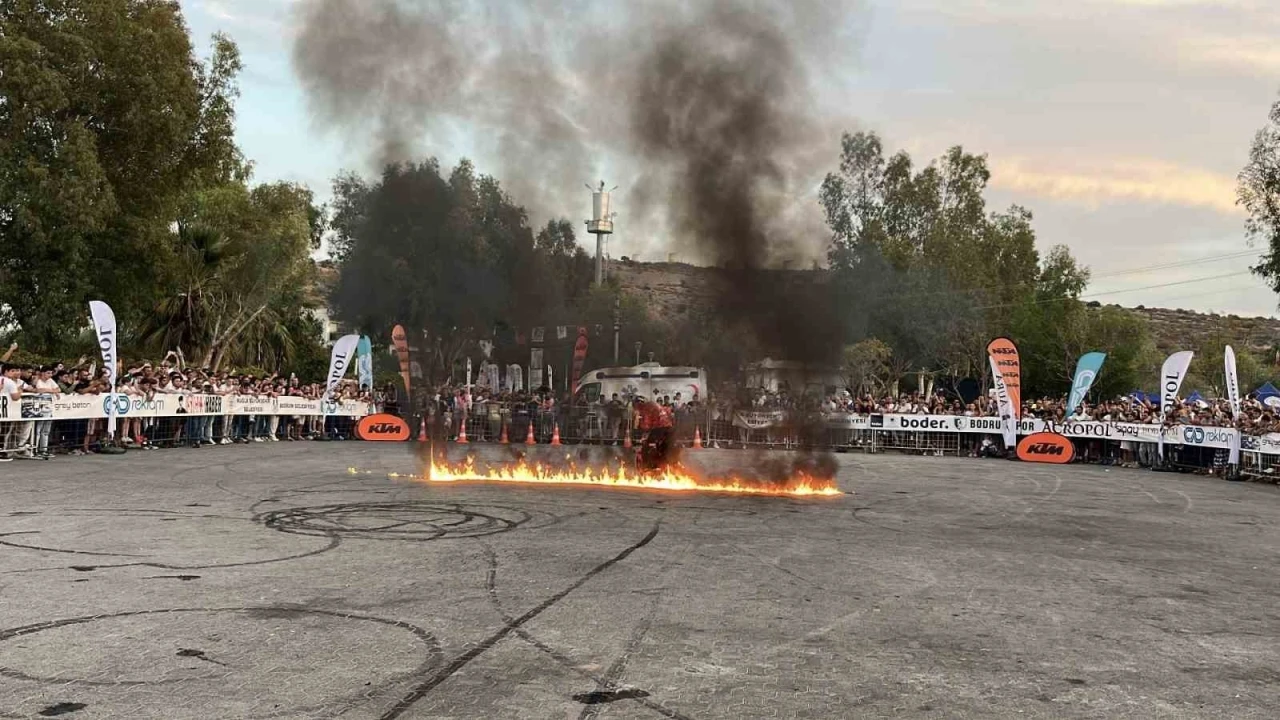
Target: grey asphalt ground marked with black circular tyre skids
[269, 582]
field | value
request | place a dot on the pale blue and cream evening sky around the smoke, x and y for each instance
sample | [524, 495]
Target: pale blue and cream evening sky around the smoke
[1122, 125]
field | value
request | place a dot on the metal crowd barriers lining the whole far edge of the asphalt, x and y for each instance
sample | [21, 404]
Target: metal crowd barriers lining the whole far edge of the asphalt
[591, 425]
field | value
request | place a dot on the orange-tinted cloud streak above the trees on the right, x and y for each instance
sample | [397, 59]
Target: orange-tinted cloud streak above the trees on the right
[1118, 181]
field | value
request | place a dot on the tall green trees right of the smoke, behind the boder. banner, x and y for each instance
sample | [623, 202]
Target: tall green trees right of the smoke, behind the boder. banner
[922, 265]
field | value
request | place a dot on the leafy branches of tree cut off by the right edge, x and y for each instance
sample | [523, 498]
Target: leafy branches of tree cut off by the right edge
[1260, 195]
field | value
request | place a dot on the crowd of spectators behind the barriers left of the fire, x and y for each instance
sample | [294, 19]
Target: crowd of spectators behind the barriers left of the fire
[147, 381]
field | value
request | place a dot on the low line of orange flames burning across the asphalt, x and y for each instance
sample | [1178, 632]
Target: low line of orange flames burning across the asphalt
[673, 480]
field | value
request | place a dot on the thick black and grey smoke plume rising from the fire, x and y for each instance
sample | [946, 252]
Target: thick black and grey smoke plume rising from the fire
[711, 111]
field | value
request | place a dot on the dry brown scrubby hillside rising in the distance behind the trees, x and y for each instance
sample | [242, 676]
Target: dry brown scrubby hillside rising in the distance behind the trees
[676, 289]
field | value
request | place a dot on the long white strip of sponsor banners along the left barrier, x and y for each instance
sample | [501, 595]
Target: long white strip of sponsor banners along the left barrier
[94, 407]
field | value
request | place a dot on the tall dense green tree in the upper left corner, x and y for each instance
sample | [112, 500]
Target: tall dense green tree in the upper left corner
[99, 142]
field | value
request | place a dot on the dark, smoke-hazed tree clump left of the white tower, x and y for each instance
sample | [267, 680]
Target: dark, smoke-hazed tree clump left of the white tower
[452, 259]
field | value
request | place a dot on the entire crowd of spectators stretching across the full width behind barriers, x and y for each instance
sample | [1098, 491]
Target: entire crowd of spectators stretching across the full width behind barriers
[488, 416]
